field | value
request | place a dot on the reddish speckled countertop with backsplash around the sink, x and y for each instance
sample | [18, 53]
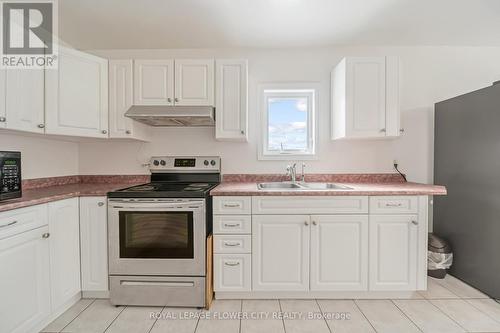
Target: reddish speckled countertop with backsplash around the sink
[360, 184]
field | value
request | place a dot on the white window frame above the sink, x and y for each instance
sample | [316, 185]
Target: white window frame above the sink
[284, 90]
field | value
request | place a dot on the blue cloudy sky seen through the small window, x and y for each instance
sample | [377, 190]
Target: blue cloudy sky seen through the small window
[287, 119]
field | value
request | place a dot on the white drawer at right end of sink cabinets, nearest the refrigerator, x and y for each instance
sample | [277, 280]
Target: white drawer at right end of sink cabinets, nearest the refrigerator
[394, 205]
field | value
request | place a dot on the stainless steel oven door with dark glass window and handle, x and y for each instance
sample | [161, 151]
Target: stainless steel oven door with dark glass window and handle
[156, 237]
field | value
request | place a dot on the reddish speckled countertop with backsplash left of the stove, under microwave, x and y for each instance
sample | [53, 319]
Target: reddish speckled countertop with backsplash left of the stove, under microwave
[45, 190]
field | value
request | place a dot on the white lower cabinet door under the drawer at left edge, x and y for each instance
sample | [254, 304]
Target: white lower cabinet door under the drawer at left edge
[24, 281]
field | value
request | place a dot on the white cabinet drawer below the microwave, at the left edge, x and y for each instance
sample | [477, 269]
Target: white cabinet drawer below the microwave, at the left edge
[15, 221]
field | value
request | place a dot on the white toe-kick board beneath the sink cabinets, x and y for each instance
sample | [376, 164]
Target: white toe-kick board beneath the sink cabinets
[318, 295]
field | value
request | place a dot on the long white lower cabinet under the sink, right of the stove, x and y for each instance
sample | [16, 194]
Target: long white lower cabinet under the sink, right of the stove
[320, 246]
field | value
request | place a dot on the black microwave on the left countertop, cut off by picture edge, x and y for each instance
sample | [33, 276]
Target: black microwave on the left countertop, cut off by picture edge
[10, 175]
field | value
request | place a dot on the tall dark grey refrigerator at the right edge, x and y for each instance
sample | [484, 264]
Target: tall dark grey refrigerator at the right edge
[467, 162]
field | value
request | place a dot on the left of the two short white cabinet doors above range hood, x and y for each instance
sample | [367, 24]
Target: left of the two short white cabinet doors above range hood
[154, 82]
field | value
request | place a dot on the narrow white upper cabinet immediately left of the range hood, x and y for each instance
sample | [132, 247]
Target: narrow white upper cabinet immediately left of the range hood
[120, 100]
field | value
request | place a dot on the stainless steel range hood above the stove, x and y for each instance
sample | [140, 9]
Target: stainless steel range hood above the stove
[163, 115]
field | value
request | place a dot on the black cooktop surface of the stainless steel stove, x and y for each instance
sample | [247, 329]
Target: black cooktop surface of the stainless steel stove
[164, 190]
